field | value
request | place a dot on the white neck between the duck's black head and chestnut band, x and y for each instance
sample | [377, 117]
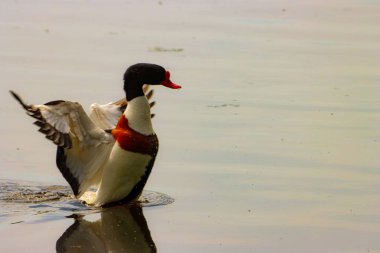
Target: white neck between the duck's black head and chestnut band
[138, 115]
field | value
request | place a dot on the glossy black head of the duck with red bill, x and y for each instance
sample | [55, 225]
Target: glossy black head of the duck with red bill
[145, 73]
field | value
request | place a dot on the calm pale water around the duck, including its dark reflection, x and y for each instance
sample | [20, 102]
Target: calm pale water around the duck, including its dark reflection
[272, 145]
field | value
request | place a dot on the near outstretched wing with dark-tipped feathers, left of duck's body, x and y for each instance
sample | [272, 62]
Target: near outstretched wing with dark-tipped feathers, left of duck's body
[83, 147]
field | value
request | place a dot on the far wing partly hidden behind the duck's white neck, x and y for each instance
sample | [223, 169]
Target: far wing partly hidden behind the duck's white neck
[106, 116]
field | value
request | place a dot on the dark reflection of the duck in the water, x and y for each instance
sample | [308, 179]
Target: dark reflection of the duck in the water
[119, 229]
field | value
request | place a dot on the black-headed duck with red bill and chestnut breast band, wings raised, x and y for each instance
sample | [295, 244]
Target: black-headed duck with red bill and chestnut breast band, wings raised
[113, 148]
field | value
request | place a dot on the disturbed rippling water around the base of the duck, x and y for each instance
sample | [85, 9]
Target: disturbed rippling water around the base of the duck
[55, 201]
